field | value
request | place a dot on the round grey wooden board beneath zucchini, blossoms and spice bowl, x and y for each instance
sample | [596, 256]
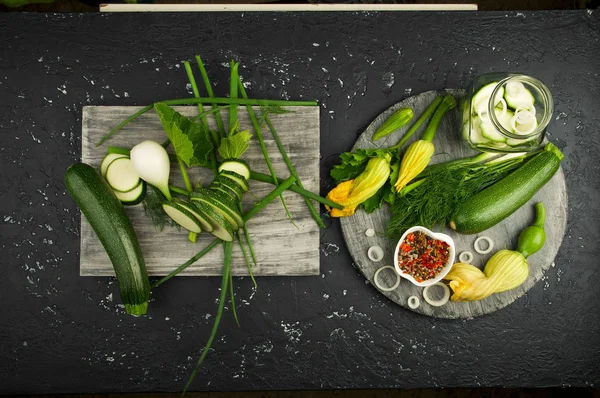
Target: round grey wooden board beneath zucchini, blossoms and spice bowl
[449, 146]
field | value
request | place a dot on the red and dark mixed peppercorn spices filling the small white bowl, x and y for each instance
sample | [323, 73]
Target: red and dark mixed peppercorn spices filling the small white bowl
[422, 256]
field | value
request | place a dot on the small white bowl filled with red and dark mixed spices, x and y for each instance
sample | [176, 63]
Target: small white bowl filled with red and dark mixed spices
[424, 257]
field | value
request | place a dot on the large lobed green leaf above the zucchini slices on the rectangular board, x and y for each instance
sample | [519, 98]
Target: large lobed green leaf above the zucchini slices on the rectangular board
[190, 140]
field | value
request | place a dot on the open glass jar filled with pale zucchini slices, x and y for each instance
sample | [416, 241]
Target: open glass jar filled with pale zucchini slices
[506, 112]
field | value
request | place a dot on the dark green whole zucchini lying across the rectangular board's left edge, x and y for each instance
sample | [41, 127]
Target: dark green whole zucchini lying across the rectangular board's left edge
[107, 217]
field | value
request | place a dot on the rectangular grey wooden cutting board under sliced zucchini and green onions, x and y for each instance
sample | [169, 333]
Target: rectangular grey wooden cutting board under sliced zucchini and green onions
[281, 247]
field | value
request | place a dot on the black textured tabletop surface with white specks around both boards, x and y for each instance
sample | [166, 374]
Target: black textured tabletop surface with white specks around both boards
[61, 333]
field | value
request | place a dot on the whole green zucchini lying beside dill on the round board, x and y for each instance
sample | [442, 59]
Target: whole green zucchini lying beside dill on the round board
[498, 201]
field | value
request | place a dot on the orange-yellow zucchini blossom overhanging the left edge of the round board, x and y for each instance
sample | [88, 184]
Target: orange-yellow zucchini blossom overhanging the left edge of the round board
[352, 193]
